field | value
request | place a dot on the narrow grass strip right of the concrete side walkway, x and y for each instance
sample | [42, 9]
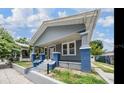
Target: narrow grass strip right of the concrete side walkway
[105, 67]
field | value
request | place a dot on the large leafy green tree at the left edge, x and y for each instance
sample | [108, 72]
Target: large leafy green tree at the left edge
[7, 44]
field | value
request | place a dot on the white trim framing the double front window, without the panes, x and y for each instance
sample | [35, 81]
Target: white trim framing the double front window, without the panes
[68, 50]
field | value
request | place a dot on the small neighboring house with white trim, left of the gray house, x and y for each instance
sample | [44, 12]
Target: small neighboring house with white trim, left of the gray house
[24, 52]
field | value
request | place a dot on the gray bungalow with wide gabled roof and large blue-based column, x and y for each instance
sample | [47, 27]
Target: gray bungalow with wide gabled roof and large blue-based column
[70, 36]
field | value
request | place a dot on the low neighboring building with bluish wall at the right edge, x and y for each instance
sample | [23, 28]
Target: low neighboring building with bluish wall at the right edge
[107, 57]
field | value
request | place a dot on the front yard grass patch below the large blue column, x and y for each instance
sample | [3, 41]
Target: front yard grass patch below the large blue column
[72, 78]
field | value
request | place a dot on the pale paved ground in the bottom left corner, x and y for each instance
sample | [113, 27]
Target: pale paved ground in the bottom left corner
[11, 76]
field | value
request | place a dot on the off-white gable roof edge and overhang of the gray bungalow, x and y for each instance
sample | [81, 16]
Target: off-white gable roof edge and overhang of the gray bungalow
[74, 19]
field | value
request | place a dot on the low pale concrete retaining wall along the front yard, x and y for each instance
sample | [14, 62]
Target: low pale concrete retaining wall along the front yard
[34, 76]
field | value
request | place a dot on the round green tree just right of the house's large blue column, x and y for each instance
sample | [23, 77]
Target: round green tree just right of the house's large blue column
[96, 47]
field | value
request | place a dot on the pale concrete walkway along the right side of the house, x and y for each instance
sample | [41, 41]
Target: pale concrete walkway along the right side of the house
[109, 77]
